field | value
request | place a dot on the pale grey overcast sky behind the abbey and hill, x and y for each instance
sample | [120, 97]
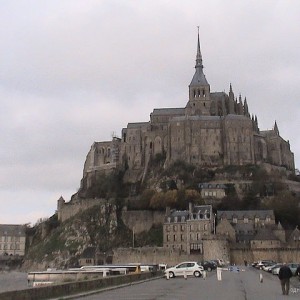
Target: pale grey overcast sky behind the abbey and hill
[74, 71]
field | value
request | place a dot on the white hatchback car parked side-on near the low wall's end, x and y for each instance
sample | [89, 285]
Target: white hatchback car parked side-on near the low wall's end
[188, 268]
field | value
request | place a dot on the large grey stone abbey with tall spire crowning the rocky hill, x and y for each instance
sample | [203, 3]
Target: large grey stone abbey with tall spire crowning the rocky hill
[214, 129]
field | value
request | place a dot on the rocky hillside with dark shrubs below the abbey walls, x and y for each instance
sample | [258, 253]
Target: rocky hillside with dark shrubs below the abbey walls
[60, 244]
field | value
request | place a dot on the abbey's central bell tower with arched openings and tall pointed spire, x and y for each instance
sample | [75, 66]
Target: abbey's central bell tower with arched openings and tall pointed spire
[199, 89]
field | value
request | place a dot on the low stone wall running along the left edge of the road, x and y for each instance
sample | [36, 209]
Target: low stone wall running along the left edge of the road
[55, 291]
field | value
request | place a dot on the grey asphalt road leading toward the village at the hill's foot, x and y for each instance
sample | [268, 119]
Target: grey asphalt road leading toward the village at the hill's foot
[244, 285]
